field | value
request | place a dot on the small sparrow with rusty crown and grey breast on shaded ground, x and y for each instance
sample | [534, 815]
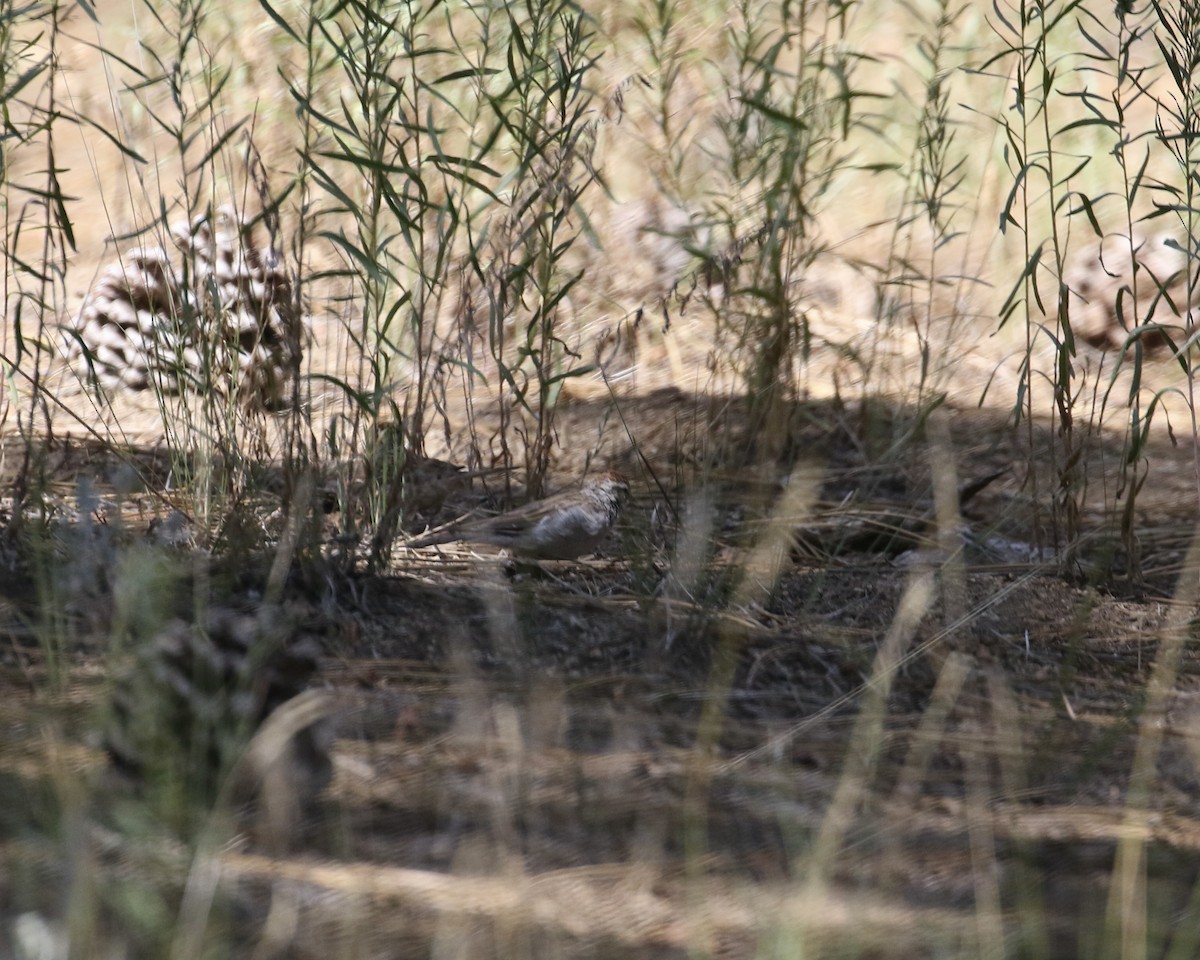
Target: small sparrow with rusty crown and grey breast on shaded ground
[556, 529]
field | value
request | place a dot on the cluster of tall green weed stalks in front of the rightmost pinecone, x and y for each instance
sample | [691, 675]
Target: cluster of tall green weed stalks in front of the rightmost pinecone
[1054, 169]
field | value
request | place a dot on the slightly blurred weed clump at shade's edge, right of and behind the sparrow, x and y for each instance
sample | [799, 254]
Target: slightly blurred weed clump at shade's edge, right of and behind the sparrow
[794, 103]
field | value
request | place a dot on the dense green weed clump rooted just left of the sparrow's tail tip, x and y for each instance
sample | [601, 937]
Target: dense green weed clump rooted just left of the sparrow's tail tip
[381, 188]
